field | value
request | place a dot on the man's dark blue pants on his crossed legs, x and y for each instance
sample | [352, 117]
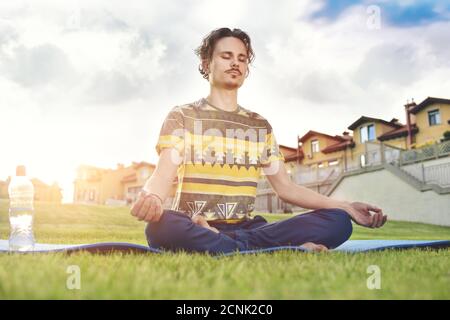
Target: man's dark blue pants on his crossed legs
[176, 231]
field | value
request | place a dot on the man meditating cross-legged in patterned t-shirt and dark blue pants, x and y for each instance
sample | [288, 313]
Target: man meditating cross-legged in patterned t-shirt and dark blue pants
[218, 150]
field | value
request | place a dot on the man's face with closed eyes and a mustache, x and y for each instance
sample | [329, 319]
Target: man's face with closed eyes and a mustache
[229, 63]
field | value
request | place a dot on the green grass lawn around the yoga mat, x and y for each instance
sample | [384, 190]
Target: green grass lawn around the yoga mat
[411, 274]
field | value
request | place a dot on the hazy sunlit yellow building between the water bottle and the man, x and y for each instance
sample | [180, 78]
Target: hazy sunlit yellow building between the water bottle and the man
[112, 186]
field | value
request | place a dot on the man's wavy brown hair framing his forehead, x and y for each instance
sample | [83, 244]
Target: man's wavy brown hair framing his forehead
[206, 49]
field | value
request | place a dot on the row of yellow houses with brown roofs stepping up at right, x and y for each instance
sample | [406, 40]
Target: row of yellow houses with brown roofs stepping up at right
[320, 159]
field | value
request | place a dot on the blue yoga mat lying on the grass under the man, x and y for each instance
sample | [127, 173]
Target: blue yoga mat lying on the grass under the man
[349, 246]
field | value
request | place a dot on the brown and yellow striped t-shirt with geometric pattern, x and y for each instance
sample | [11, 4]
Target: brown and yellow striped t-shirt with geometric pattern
[222, 153]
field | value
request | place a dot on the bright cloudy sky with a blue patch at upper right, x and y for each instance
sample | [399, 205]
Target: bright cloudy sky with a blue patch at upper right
[90, 82]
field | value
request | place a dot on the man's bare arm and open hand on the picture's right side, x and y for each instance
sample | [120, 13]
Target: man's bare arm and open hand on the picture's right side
[304, 197]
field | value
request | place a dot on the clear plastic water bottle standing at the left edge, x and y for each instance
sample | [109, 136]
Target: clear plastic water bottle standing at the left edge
[21, 212]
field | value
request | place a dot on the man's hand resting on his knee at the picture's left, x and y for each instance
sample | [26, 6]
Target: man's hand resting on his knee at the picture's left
[147, 207]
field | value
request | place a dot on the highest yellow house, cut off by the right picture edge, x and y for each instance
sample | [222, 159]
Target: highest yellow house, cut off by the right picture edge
[432, 117]
